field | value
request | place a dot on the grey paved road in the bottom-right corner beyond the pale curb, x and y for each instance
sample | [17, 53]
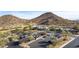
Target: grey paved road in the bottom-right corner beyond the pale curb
[73, 44]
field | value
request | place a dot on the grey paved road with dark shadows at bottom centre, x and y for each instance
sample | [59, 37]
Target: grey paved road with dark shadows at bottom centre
[40, 43]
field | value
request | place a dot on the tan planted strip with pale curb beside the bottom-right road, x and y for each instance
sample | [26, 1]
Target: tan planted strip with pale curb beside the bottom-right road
[61, 42]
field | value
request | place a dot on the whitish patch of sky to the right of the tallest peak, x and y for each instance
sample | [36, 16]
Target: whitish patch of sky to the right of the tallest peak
[72, 15]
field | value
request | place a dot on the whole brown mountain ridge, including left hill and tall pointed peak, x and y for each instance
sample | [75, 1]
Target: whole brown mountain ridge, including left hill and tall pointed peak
[48, 18]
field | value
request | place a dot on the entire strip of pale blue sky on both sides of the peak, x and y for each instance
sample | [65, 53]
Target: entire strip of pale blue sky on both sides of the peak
[72, 15]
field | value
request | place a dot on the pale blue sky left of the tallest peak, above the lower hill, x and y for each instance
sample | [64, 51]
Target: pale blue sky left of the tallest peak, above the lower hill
[22, 14]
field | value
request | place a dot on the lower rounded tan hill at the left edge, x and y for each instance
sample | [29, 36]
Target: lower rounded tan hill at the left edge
[10, 20]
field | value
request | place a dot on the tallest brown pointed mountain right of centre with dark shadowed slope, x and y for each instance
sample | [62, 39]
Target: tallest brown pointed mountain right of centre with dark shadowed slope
[50, 18]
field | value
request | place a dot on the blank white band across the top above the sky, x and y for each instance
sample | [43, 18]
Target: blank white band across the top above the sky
[39, 5]
